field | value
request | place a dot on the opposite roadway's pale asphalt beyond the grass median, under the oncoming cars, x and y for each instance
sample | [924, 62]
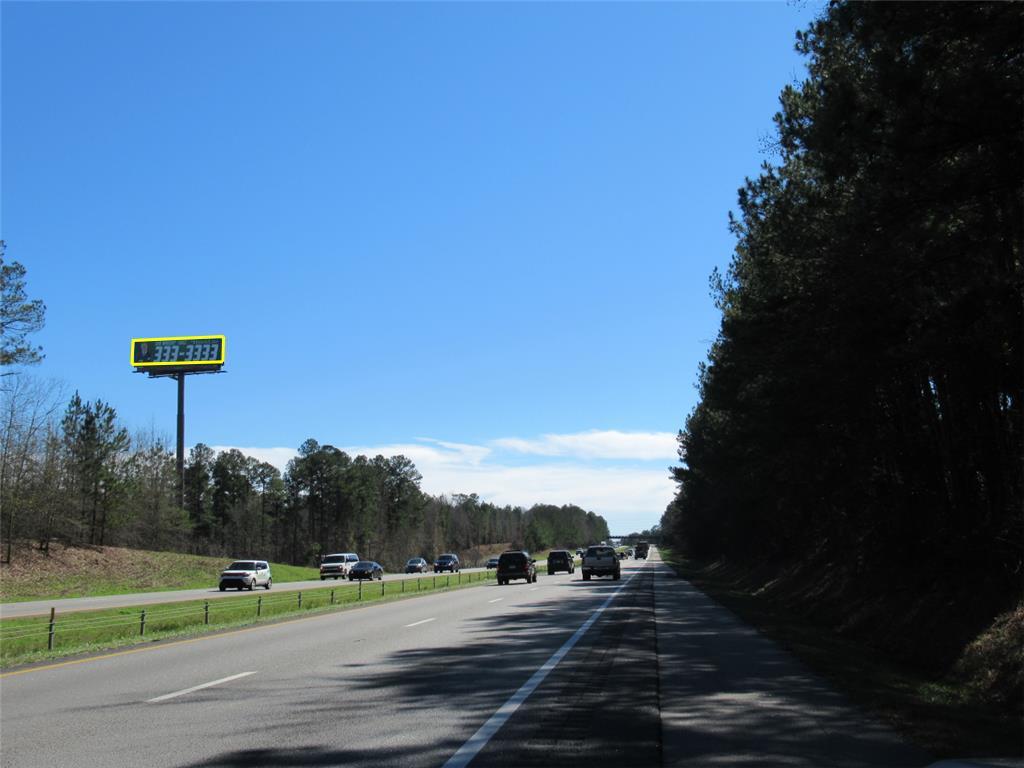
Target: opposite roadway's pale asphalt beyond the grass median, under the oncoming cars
[73, 605]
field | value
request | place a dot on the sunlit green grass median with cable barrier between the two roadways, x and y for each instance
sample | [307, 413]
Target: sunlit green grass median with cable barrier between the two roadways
[25, 641]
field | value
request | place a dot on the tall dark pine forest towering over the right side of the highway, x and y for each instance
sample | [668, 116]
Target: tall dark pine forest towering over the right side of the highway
[861, 410]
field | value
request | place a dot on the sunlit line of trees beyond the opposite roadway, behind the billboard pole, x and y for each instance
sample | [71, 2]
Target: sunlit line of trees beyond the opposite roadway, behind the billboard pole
[78, 477]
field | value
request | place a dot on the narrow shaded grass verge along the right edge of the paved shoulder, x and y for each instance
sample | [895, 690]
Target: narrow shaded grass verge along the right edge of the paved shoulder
[935, 714]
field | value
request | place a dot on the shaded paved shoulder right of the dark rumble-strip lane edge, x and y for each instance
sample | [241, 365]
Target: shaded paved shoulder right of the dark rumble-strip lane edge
[731, 697]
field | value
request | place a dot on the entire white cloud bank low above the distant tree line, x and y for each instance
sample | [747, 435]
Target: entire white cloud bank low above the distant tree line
[629, 498]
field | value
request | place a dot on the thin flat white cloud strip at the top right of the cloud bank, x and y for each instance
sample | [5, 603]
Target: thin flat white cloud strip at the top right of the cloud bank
[599, 445]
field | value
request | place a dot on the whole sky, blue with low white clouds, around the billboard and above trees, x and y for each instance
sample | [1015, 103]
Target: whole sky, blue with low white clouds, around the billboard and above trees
[480, 234]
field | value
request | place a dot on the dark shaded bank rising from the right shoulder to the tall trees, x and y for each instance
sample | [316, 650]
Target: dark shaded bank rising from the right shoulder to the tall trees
[928, 662]
